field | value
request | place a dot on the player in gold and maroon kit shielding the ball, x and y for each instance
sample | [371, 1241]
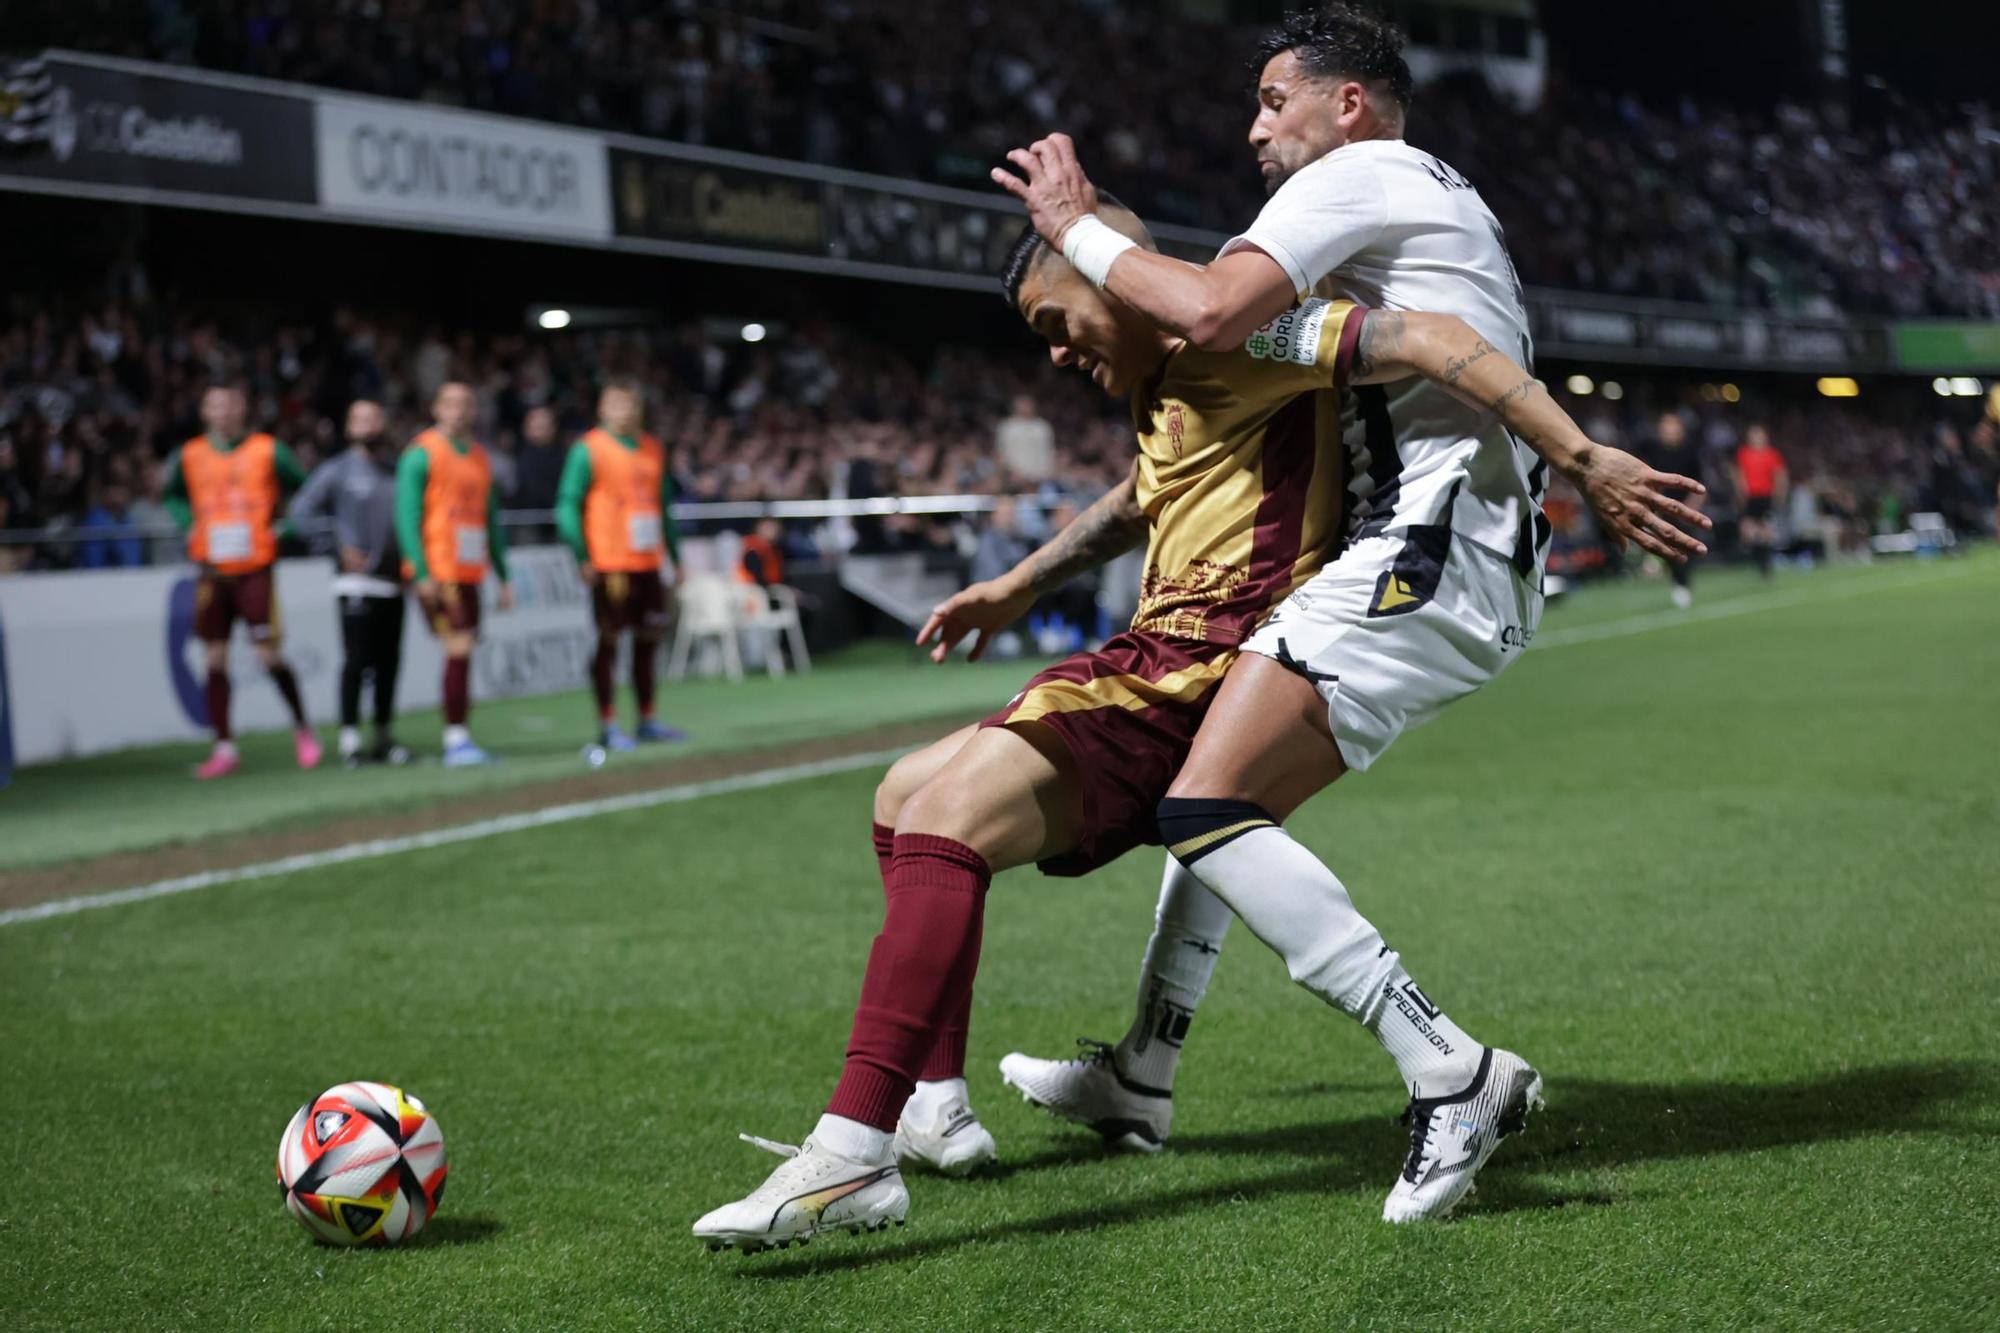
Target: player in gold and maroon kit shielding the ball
[1237, 493]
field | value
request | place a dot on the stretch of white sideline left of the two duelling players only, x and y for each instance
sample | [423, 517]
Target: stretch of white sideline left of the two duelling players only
[459, 834]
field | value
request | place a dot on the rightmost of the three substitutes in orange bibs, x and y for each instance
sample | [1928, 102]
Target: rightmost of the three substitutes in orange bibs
[615, 513]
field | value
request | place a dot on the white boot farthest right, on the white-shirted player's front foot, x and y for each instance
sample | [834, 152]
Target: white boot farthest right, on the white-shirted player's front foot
[1455, 1134]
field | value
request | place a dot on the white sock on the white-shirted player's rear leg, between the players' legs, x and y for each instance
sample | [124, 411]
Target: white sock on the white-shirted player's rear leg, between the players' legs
[1187, 942]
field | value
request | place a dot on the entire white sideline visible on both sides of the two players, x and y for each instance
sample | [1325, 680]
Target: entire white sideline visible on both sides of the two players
[797, 774]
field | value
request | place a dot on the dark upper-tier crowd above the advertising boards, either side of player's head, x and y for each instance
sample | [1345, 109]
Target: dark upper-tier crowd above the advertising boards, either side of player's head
[1891, 213]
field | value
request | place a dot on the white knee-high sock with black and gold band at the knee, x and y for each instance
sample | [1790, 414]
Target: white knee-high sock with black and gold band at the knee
[1303, 912]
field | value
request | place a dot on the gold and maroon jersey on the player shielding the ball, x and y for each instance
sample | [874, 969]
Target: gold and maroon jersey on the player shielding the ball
[1241, 473]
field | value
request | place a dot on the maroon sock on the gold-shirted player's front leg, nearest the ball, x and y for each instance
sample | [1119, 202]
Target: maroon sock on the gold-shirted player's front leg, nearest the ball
[919, 974]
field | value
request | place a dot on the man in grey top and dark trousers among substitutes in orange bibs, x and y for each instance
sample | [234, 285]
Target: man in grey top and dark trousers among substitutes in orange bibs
[359, 491]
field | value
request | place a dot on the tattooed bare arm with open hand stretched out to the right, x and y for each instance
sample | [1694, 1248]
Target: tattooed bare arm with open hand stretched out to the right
[1629, 499]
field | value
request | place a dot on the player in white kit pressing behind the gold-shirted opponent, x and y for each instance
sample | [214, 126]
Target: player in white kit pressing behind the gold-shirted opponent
[1437, 591]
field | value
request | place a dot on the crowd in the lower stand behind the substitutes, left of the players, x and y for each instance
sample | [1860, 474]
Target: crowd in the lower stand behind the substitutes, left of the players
[93, 405]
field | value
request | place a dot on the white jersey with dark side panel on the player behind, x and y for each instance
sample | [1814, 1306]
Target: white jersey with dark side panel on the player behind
[1395, 229]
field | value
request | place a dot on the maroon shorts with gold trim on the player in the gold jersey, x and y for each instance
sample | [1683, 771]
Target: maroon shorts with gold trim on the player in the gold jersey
[1127, 716]
